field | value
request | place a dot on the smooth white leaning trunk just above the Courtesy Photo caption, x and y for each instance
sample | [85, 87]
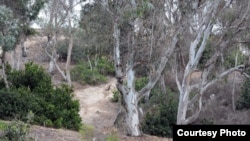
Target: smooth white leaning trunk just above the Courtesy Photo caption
[195, 53]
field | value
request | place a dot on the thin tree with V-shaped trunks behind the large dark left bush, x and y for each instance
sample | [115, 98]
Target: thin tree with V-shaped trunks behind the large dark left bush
[61, 16]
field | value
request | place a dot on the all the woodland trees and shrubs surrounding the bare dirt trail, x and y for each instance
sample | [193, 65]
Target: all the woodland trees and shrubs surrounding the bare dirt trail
[175, 62]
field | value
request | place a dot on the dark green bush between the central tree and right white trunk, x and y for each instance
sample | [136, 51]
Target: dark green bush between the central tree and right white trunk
[161, 115]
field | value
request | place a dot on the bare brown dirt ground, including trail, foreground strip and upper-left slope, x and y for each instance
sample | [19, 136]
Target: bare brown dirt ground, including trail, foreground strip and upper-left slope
[97, 111]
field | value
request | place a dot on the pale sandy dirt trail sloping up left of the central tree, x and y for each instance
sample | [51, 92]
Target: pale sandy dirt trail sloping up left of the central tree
[96, 108]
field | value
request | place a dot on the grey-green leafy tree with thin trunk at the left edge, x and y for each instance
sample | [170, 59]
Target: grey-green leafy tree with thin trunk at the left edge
[8, 35]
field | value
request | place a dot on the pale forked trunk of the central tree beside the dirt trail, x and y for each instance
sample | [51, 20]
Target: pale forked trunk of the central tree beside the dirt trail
[128, 93]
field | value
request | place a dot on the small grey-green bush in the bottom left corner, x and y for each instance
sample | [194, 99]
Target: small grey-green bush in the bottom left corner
[16, 131]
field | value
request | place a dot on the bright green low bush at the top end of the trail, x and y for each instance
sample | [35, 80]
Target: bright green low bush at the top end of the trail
[84, 74]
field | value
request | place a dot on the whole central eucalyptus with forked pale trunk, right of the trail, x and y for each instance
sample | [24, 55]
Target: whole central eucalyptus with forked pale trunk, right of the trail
[140, 41]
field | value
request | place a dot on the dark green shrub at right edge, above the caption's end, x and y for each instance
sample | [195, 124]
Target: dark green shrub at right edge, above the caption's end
[244, 101]
